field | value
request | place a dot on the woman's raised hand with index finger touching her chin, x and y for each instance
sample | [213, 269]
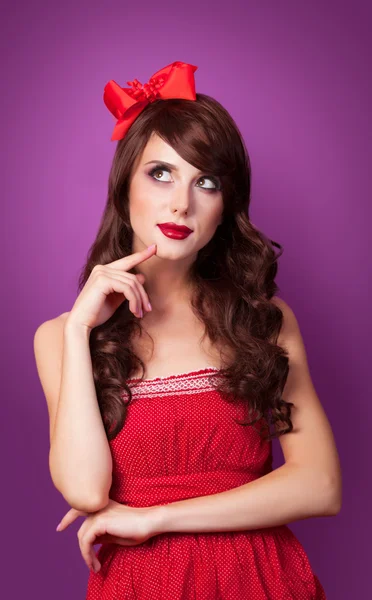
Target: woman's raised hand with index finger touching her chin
[107, 287]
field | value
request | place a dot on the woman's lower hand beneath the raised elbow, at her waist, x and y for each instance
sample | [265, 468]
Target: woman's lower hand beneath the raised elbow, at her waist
[122, 524]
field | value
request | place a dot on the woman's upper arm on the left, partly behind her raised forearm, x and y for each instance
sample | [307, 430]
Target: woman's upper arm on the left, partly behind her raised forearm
[48, 350]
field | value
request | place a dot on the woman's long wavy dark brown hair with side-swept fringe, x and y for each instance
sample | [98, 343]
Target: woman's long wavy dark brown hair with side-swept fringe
[233, 275]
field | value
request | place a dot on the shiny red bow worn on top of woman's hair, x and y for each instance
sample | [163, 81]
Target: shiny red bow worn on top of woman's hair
[173, 81]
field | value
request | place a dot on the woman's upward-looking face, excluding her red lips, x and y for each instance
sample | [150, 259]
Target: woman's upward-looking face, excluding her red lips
[180, 194]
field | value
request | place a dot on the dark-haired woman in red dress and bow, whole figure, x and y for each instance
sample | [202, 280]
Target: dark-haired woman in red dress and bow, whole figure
[163, 408]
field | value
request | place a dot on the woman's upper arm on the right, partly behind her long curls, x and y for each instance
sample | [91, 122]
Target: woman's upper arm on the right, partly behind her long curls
[311, 443]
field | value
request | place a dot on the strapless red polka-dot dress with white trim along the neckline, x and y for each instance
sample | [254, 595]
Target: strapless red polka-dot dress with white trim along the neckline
[179, 442]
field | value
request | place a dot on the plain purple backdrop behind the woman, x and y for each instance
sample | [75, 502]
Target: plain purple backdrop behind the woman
[296, 78]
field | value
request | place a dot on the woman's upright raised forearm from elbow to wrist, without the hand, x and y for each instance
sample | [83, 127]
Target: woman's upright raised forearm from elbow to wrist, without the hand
[80, 460]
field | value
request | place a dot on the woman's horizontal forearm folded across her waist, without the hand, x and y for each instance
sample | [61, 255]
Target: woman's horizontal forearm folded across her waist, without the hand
[286, 494]
